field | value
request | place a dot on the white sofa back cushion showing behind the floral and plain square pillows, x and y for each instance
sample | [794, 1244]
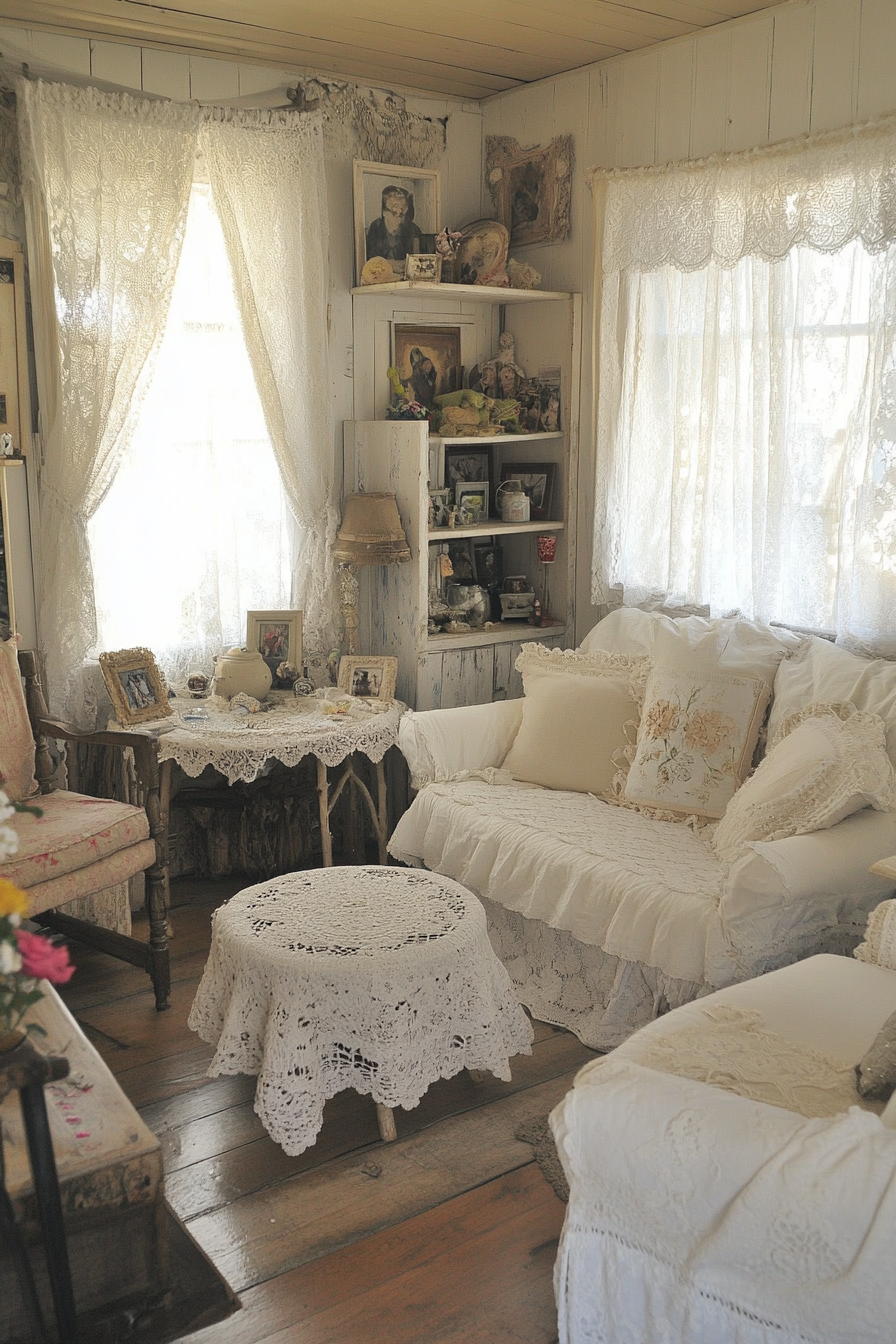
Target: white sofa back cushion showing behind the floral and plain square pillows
[725, 644]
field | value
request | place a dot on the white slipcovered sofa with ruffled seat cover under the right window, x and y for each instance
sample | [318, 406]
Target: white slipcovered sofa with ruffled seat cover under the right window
[605, 917]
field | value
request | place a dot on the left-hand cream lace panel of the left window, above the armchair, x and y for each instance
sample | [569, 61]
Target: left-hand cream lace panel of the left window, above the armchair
[112, 178]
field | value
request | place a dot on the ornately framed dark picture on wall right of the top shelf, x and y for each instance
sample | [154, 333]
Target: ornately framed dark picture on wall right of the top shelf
[531, 189]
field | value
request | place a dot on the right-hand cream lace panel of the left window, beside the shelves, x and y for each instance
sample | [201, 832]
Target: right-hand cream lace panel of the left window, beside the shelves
[267, 171]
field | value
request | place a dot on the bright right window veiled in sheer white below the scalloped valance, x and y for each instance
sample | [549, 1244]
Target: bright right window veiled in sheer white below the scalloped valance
[749, 448]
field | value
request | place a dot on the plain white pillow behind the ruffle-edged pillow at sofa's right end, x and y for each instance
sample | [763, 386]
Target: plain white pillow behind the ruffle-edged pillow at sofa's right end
[824, 673]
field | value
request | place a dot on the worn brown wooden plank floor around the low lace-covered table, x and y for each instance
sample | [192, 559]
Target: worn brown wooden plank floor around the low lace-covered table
[447, 1236]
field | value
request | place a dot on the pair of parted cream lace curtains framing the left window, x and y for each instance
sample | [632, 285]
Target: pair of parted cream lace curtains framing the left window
[108, 181]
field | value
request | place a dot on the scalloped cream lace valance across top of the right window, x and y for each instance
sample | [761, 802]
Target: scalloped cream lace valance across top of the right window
[821, 192]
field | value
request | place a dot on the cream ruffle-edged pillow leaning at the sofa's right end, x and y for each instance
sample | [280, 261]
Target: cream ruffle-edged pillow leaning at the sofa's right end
[824, 771]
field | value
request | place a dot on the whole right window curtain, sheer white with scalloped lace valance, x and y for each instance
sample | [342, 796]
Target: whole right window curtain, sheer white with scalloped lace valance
[748, 385]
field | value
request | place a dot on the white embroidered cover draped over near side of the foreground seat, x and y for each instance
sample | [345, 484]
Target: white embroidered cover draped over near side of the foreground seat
[703, 1217]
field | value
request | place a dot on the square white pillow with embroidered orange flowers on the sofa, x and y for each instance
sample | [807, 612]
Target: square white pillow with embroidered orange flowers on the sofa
[697, 740]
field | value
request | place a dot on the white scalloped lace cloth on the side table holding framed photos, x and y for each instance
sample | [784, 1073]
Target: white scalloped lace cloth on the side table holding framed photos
[240, 747]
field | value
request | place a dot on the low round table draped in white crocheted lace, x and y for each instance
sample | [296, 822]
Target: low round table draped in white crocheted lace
[375, 979]
